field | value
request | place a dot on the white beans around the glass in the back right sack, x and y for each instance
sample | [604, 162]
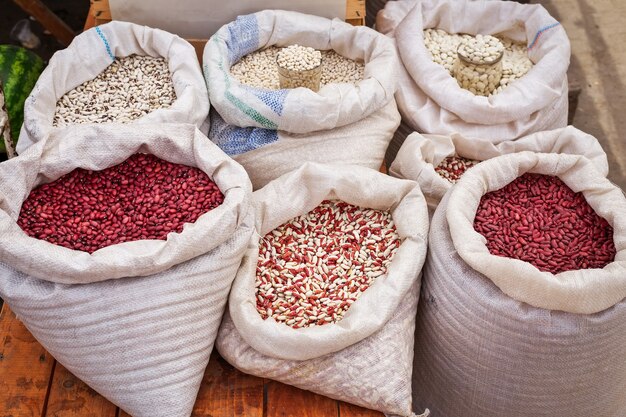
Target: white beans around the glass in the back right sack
[443, 48]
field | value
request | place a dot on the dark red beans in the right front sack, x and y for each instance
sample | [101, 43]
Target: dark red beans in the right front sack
[567, 233]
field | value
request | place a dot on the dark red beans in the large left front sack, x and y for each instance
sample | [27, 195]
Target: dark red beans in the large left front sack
[65, 212]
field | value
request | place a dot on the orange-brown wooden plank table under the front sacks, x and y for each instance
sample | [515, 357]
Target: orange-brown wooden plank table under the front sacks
[33, 384]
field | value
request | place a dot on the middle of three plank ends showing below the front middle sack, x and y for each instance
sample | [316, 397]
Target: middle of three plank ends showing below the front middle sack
[287, 401]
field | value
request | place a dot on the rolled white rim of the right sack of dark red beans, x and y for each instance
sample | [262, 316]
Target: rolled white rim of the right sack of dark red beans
[584, 291]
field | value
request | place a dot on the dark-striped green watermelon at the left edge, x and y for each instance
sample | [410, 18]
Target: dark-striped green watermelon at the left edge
[19, 71]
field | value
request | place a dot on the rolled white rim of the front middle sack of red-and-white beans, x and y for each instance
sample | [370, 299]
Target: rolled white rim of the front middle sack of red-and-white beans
[310, 342]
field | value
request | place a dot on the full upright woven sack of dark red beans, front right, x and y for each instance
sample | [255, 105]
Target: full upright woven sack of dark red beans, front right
[496, 336]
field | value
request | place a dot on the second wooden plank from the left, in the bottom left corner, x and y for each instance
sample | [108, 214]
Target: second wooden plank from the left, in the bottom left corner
[71, 397]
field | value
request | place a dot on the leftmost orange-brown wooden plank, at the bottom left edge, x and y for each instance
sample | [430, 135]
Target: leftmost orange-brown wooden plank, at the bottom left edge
[25, 369]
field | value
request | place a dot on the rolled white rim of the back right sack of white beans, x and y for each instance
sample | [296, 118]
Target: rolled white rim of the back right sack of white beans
[512, 103]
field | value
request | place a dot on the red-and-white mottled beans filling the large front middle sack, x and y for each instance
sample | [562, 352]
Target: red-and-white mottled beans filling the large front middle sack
[311, 269]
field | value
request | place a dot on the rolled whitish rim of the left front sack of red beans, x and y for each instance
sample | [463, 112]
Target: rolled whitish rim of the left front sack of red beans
[54, 263]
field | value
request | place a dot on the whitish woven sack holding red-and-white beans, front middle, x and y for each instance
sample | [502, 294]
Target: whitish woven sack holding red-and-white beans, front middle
[366, 357]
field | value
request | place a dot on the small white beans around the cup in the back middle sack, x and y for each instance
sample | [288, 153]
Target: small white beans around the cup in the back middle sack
[259, 69]
